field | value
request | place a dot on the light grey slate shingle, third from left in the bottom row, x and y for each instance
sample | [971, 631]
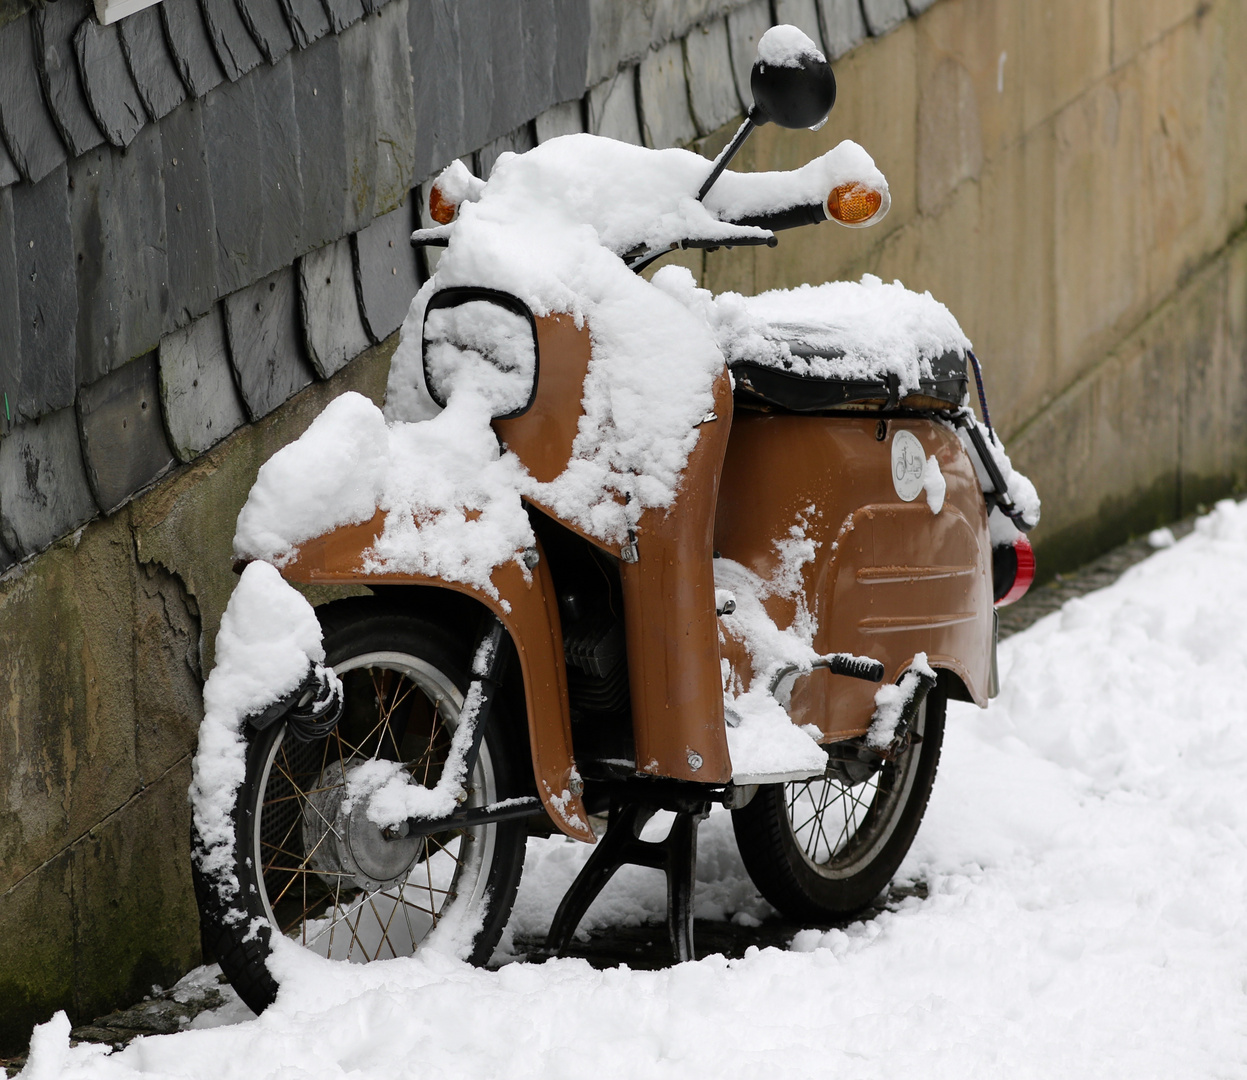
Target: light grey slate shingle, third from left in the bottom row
[199, 398]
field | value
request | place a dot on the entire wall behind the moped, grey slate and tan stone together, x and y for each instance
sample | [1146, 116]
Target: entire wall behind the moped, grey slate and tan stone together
[218, 199]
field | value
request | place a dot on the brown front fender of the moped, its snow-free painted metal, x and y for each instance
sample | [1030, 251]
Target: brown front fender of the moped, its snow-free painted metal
[529, 612]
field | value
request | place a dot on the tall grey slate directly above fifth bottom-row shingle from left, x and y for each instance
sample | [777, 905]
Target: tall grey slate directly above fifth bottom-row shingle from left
[319, 108]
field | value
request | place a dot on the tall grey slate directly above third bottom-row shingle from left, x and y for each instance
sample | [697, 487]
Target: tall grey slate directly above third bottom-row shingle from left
[190, 219]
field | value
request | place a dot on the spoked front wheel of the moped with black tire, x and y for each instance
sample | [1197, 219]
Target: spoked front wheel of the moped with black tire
[345, 892]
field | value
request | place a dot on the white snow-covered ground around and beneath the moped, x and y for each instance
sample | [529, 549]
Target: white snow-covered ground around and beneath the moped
[1086, 857]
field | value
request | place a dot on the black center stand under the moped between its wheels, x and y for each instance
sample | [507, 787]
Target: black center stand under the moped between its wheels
[676, 856]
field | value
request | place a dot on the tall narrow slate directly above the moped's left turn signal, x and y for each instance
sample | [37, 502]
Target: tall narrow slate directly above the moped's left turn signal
[433, 34]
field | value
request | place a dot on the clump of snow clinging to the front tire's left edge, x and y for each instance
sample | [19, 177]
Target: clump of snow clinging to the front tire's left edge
[269, 642]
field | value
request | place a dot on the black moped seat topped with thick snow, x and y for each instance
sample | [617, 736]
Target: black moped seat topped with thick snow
[840, 346]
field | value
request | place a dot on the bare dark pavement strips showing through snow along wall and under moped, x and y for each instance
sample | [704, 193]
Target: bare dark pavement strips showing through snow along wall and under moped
[647, 947]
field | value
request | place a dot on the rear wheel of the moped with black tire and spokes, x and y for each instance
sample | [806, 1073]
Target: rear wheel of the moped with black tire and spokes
[809, 876]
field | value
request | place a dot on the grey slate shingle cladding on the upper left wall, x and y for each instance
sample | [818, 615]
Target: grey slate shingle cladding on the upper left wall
[224, 188]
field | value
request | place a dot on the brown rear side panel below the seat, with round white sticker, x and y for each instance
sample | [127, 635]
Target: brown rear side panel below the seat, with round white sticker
[890, 579]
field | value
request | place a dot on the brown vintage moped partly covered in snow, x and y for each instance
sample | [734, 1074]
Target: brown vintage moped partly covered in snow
[595, 683]
